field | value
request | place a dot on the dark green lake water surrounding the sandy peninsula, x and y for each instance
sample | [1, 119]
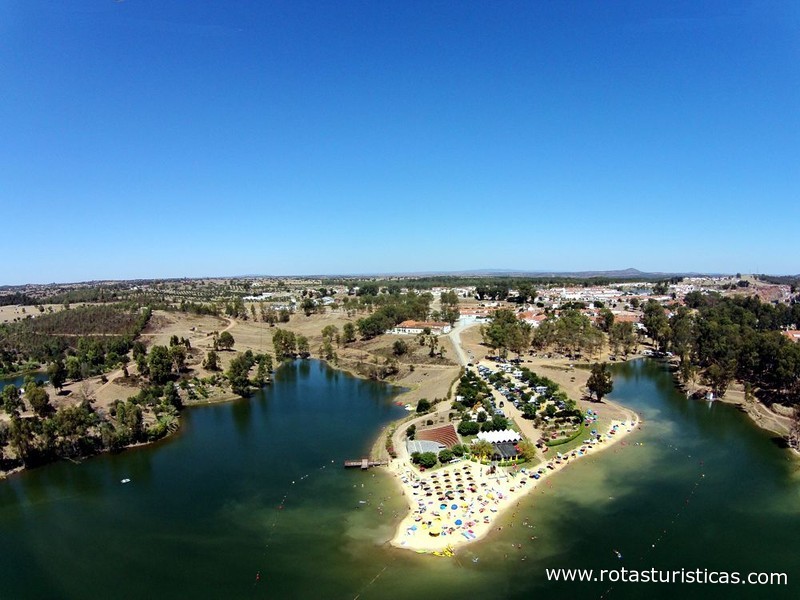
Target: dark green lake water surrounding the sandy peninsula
[257, 486]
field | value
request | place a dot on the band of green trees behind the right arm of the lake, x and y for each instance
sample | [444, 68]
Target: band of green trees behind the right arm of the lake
[715, 339]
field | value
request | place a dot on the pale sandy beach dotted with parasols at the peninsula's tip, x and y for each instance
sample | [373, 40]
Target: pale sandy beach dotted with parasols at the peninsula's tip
[462, 502]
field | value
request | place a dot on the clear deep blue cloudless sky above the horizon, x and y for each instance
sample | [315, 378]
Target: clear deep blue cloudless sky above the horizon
[158, 138]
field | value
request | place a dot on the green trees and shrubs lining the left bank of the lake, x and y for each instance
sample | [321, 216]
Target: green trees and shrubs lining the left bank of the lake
[38, 432]
